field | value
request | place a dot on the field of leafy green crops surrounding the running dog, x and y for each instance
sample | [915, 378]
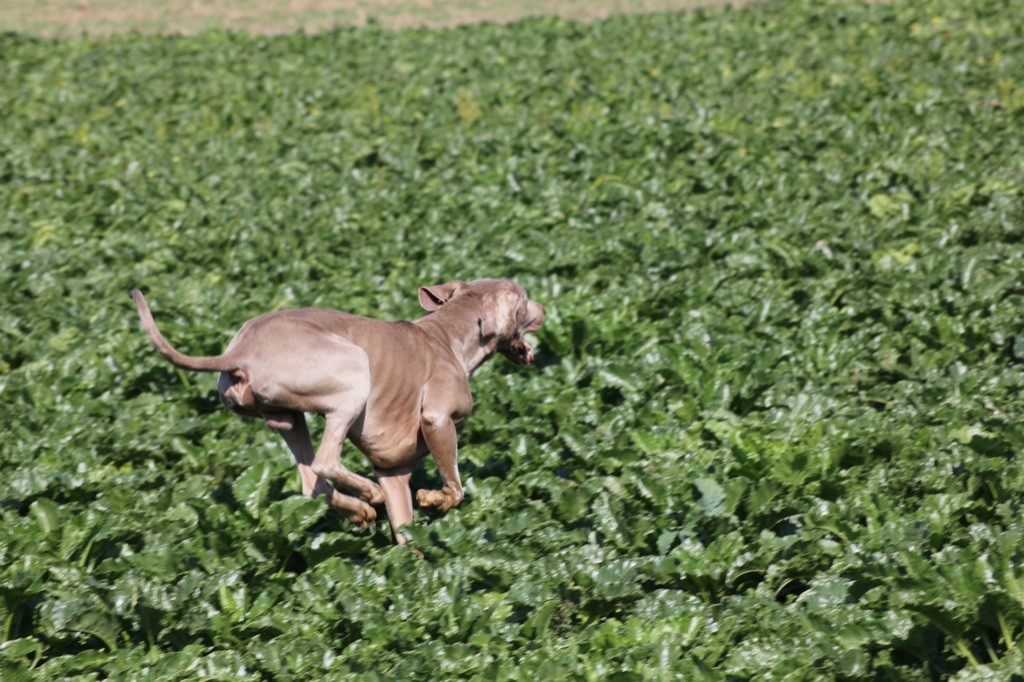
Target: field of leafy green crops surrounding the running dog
[775, 429]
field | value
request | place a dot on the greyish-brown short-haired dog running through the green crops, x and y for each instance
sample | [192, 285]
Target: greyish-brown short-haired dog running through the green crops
[397, 390]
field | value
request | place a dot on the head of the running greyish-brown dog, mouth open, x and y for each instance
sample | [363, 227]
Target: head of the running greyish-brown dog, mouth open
[504, 313]
